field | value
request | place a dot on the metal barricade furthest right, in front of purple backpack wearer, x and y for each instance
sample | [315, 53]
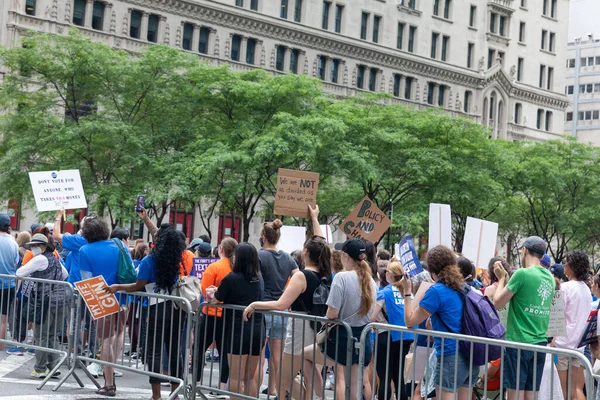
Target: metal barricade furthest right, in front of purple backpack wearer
[487, 380]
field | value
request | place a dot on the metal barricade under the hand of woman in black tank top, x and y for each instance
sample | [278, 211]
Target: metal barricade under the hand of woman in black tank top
[230, 337]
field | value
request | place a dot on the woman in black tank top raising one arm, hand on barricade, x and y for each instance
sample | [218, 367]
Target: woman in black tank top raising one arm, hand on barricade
[298, 296]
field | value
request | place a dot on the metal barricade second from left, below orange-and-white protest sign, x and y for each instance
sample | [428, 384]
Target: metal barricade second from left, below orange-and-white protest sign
[158, 333]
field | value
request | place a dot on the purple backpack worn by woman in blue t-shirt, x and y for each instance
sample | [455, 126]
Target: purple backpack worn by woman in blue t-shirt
[480, 319]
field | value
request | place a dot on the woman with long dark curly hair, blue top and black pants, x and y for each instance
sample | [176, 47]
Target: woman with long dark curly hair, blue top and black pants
[158, 272]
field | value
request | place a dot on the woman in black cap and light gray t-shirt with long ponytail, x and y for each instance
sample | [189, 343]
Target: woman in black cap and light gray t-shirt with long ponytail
[352, 300]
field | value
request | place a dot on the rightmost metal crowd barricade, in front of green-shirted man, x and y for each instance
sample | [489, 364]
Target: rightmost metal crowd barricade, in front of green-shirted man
[482, 371]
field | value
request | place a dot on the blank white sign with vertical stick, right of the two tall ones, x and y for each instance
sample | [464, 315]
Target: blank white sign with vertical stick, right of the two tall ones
[479, 244]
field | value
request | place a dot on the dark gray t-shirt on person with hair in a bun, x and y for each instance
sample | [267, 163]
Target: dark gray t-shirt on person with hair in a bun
[276, 268]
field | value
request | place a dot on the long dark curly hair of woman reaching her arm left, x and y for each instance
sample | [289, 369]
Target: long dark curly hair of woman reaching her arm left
[167, 254]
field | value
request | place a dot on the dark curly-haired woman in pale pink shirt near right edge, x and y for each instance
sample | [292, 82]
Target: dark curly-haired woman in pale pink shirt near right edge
[576, 295]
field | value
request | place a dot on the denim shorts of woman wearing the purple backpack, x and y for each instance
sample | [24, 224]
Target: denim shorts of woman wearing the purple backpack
[466, 375]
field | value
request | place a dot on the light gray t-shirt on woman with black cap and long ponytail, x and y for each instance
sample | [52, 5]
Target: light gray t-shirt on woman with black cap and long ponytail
[345, 296]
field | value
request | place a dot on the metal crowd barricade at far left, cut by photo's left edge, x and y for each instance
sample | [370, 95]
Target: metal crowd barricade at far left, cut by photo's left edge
[44, 305]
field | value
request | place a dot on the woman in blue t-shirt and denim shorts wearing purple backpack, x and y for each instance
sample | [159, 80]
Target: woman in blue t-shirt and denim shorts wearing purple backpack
[443, 303]
